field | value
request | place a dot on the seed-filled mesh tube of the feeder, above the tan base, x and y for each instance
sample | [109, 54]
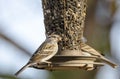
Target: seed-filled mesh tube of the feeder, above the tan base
[65, 18]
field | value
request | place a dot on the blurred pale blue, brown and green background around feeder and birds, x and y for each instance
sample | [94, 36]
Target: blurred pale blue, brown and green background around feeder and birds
[22, 31]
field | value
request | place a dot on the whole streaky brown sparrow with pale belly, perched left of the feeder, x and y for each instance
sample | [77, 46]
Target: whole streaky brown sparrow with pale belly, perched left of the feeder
[45, 52]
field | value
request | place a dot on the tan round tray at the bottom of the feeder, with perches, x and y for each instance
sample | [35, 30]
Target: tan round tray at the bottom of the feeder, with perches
[68, 62]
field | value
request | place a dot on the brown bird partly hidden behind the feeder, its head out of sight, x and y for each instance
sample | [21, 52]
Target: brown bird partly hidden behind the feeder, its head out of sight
[89, 51]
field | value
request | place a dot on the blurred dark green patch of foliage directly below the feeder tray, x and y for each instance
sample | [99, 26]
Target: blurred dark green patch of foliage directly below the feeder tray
[72, 74]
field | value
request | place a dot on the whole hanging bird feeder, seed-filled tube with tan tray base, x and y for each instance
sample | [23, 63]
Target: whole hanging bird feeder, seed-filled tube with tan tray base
[66, 18]
